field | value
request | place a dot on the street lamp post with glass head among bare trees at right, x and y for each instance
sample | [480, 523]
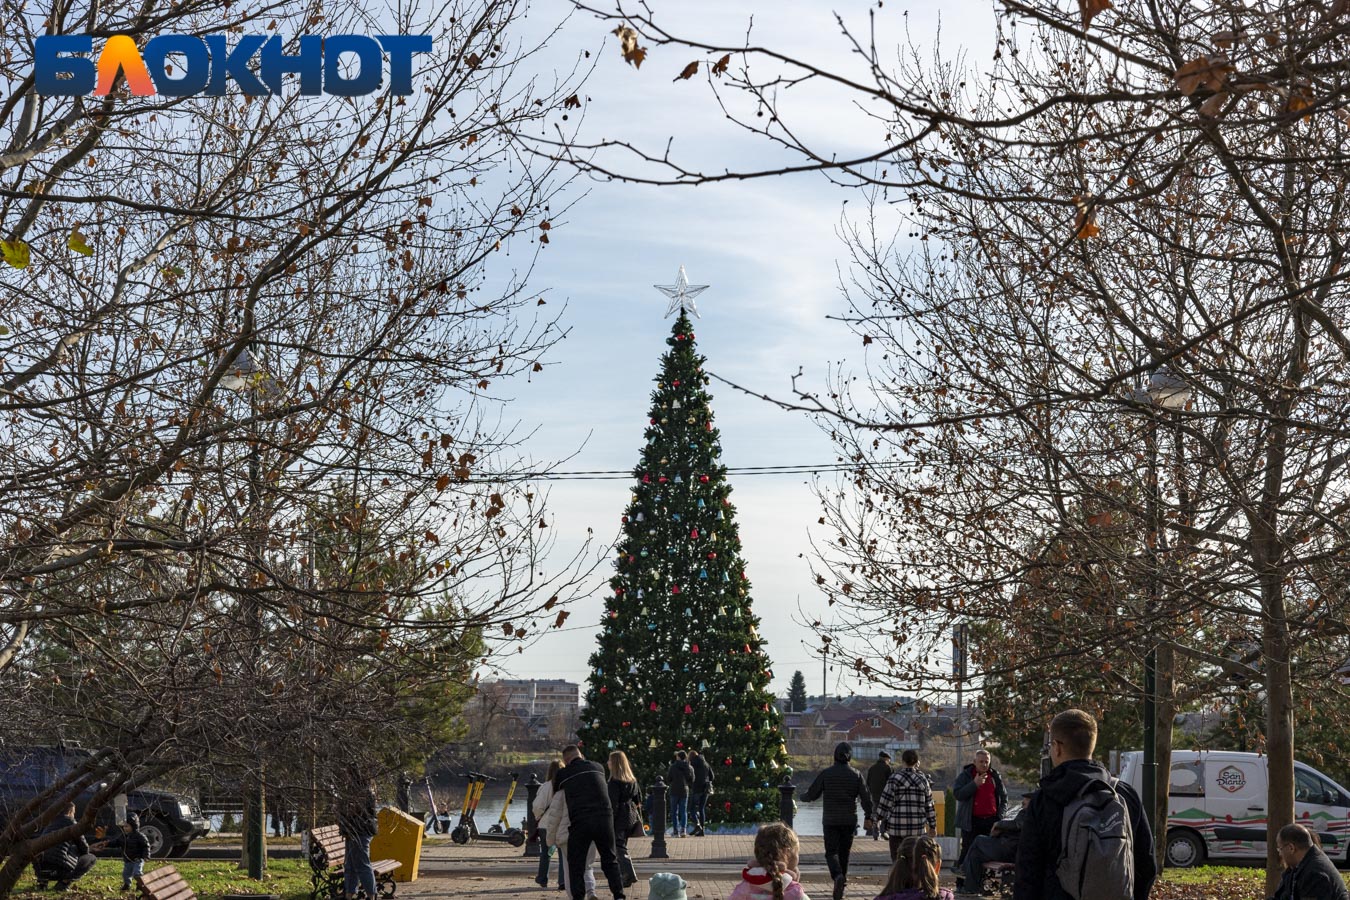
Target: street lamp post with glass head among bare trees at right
[1166, 392]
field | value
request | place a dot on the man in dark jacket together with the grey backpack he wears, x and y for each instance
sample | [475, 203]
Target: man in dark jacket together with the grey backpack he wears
[1086, 836]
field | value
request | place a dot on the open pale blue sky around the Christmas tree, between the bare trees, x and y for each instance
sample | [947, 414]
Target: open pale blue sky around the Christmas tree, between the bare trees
[772, 253]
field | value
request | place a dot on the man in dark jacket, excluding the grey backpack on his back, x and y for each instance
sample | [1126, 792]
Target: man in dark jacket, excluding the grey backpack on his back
[1073, 741]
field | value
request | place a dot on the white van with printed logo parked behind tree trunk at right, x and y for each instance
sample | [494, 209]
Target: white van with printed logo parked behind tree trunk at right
[1218, 806]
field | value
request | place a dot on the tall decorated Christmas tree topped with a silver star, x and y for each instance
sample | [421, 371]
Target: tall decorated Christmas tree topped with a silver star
[681, 663]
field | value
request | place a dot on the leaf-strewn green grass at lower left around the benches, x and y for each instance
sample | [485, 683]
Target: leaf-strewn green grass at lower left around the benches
[288, 879]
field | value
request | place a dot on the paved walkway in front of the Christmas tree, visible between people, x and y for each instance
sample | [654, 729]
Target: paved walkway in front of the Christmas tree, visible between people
[711, 866]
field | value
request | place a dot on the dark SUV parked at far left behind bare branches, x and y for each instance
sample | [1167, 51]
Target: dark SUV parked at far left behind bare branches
[169, 822]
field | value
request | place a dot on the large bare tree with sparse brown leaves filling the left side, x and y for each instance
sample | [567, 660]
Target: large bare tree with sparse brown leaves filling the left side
[256, 462]
